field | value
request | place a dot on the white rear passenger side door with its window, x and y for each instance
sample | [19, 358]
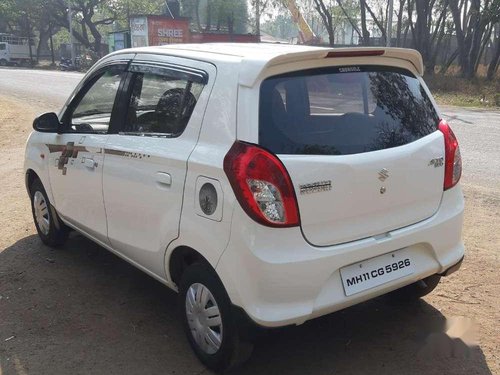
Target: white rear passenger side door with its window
[146, 162]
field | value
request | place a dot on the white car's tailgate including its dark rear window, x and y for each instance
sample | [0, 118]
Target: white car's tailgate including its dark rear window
[360, 145]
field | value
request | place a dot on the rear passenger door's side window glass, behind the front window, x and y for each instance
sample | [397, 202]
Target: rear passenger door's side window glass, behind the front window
[160, 104]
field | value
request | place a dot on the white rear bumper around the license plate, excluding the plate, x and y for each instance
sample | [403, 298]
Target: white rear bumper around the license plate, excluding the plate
[279, 279]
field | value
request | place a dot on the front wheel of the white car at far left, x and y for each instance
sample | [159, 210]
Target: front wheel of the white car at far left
[49, 226]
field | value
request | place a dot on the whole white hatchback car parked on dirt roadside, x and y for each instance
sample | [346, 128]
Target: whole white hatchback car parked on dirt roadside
[267, 184]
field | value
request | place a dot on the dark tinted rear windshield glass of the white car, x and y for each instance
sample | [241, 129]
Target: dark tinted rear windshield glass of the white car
[343, 110]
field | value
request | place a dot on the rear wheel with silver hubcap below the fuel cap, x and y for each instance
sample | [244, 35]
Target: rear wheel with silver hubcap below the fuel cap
[217, 346]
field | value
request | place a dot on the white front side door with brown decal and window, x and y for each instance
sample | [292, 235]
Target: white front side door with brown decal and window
[77, 155]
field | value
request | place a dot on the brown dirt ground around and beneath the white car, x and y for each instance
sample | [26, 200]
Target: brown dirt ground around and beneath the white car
[81, 310]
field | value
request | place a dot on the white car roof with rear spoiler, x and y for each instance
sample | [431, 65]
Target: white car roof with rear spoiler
[254, 57]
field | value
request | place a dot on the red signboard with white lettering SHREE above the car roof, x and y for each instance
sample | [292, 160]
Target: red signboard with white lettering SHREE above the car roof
[162, 31]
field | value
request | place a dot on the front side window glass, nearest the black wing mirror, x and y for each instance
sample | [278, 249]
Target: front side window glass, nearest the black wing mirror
[92, 114]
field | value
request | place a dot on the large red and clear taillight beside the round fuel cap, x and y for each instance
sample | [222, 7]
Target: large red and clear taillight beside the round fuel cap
[262, 185]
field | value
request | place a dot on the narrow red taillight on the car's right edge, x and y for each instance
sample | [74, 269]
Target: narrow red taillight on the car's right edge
[452, 158]
